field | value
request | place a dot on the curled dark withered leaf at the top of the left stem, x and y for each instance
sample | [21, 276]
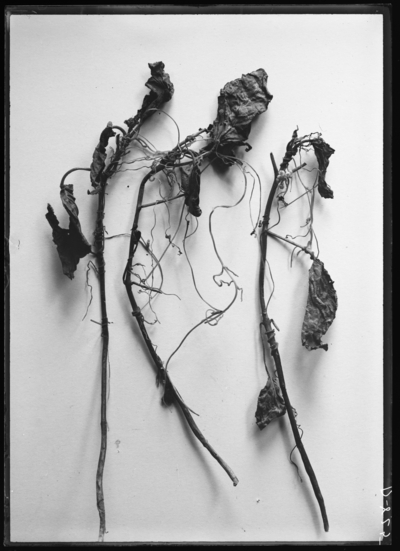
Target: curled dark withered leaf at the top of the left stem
[161, 91]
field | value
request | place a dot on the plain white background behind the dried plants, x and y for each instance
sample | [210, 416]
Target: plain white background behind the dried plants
[70, 75]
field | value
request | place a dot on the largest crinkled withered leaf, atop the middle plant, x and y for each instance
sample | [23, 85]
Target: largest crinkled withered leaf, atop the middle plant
[239, 102]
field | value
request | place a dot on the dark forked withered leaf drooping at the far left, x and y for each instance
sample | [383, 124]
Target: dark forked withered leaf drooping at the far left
[71, 244]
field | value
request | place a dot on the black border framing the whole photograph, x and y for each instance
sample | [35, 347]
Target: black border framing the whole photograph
[385, 9]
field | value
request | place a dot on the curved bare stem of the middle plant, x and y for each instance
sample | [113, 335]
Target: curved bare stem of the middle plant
[162, 374]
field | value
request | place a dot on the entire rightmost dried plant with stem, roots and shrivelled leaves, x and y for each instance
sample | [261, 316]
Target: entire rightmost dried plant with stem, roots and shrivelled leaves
[273, 401]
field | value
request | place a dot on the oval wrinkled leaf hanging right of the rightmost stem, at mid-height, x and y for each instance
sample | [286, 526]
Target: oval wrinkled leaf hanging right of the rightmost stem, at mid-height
[321, 307]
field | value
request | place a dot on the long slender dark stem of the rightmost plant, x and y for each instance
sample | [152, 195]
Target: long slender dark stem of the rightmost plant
[270, 333]
